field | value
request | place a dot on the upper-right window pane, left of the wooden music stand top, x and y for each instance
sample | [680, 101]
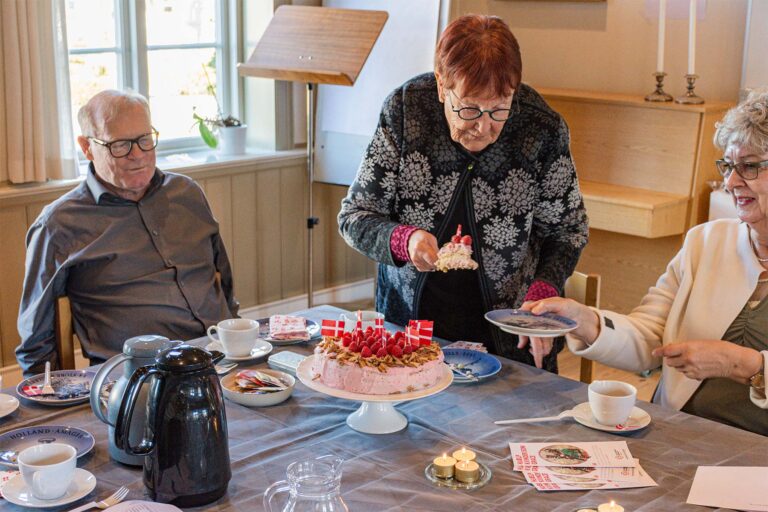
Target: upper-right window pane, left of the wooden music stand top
[181, 21]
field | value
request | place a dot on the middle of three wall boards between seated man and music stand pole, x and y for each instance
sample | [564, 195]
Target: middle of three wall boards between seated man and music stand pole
[268, 228]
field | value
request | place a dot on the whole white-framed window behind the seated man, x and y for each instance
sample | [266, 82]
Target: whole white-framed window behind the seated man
[168, 50]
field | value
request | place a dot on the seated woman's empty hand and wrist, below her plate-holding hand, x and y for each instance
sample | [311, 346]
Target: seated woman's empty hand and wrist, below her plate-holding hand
[703, 359]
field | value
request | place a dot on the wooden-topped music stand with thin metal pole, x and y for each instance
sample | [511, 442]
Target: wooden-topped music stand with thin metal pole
[316, 45]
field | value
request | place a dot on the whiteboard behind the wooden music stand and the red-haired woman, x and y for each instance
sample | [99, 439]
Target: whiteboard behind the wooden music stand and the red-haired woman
[347, 116]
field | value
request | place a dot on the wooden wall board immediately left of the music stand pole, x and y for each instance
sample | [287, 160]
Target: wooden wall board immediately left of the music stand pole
[293, 229]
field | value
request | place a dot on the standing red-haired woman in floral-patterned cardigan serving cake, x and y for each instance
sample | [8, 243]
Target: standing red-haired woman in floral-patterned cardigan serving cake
[469, 144]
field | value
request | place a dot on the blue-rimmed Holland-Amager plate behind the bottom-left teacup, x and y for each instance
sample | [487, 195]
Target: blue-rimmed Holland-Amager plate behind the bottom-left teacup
[14, 441]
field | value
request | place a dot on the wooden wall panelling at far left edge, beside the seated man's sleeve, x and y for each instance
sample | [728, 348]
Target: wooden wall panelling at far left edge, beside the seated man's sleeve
[12, 253]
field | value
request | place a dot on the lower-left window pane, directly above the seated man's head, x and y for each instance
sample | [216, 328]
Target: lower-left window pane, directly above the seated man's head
[89, 74]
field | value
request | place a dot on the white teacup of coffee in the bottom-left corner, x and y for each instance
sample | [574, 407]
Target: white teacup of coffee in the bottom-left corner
[48, 469]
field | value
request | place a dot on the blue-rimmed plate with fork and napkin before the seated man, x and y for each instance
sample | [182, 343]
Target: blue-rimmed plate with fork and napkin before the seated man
[71, 386]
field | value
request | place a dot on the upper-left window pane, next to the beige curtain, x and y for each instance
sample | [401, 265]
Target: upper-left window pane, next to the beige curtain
[90, 24]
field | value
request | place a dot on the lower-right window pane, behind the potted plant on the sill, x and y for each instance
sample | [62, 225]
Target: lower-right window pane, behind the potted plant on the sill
[178, 86]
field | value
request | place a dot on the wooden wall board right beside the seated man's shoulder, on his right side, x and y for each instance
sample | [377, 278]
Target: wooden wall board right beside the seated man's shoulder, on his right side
[245, 251]
